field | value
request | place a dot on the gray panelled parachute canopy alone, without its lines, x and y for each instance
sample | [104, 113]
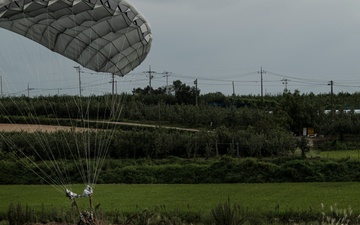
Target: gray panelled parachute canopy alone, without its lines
[101, 35]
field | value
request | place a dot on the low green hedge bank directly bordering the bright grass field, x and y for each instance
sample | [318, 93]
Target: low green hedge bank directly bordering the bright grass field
[181, 171]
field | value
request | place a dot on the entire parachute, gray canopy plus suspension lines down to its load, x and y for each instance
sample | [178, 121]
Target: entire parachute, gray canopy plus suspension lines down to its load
[108, 36]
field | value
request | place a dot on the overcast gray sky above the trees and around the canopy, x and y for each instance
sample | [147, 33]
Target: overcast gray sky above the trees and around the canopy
[302, 43]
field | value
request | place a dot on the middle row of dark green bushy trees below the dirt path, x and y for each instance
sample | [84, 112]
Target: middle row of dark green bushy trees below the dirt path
[149, 143]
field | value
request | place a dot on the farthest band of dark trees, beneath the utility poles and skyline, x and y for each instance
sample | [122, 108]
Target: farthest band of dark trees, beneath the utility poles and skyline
[334, 115]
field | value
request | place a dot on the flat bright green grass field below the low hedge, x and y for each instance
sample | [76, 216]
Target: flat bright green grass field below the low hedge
[202, 198]
